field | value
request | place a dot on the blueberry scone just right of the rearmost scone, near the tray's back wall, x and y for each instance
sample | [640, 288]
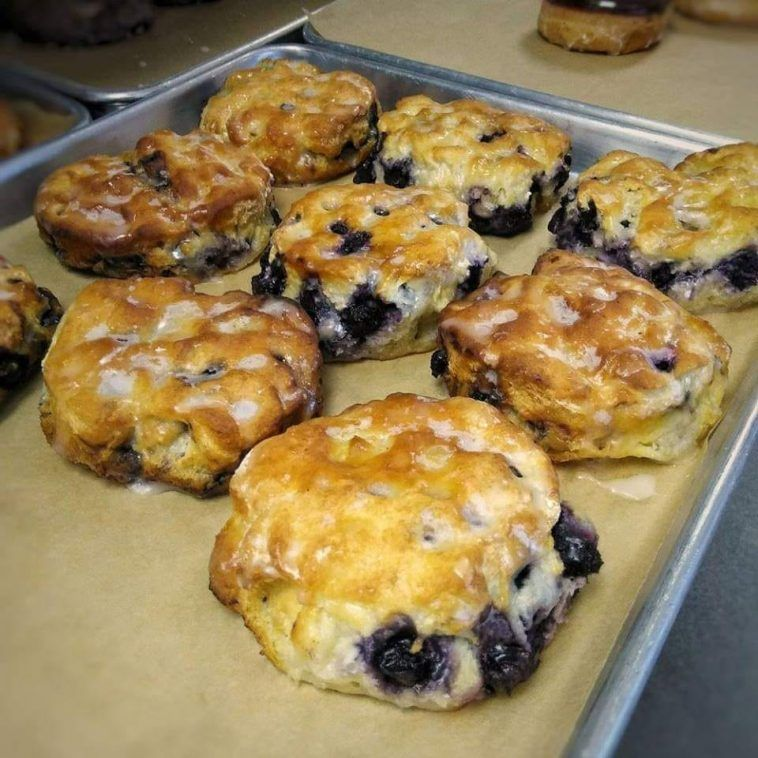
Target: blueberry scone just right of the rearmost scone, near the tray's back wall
[503, 165]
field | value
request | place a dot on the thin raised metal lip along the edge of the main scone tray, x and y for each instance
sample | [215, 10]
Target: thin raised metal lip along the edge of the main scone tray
[610, 704]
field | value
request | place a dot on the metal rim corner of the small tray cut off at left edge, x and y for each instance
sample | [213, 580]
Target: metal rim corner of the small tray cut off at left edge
[16, 84]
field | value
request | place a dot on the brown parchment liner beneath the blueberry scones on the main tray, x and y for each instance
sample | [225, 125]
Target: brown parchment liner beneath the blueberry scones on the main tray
[111, 643]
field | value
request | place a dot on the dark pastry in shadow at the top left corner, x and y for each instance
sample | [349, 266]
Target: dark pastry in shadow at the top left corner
[77, 22]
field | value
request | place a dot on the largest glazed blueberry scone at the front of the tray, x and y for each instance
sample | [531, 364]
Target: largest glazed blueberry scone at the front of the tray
[366, 558]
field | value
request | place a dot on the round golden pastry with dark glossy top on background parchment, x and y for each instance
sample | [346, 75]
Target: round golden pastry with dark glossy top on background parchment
[615, 27]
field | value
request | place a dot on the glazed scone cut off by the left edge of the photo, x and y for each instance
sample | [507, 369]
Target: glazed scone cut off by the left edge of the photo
[28, 317]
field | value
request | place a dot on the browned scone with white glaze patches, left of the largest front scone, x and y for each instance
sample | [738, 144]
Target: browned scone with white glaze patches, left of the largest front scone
[147, 380]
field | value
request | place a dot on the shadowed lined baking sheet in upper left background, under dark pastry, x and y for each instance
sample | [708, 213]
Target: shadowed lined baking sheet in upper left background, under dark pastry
[183, 41]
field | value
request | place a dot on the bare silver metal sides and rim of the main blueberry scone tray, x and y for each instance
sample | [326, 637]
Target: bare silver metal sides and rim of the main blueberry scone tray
[594, 131]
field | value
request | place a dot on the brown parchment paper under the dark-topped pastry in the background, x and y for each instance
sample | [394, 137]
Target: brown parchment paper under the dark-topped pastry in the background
[701, 76]
